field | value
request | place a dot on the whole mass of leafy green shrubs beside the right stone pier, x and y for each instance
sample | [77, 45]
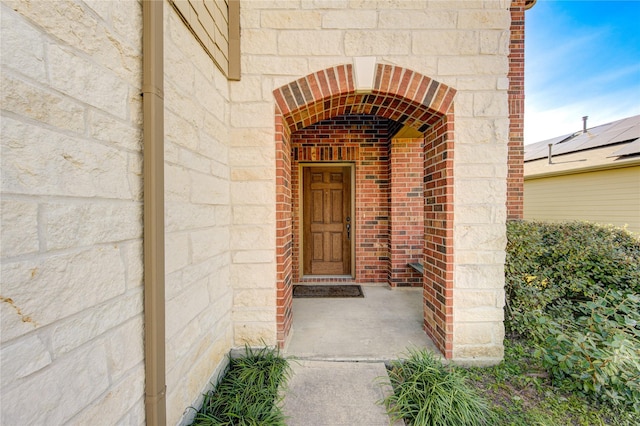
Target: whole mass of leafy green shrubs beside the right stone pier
[574, 289]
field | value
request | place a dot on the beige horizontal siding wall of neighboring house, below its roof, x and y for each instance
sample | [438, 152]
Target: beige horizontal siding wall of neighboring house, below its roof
[607, 197]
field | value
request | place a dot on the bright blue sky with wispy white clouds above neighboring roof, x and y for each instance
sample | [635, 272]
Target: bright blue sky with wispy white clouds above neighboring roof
[582, 58]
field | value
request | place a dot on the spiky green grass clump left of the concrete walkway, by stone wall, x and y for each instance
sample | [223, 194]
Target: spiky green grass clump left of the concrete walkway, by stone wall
[248, 393]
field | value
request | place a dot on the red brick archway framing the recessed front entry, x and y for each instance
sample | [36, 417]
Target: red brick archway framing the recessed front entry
[411, 100]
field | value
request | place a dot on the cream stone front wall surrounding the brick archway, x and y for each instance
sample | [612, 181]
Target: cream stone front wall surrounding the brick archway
[462, 44]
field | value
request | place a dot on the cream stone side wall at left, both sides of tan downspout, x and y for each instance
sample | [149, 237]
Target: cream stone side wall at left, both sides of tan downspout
[72, 311]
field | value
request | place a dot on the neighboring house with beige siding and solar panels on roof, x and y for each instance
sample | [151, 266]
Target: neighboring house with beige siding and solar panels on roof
[591, 175]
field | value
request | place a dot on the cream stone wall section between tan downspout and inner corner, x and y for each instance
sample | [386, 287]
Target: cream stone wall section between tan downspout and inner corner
[199, 295]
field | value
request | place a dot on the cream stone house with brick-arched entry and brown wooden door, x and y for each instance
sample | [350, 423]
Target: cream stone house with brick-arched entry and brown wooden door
[162, 162]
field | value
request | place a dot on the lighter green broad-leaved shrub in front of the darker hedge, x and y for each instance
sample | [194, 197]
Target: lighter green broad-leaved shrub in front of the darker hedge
[598, 353]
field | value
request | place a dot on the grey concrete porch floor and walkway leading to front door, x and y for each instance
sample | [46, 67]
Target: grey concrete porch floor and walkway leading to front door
[341, 346]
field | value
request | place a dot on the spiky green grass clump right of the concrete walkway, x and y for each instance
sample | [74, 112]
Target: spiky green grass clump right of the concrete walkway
[428, 393]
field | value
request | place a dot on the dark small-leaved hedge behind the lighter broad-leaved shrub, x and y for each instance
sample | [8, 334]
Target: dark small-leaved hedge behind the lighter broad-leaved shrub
[550, 267]
